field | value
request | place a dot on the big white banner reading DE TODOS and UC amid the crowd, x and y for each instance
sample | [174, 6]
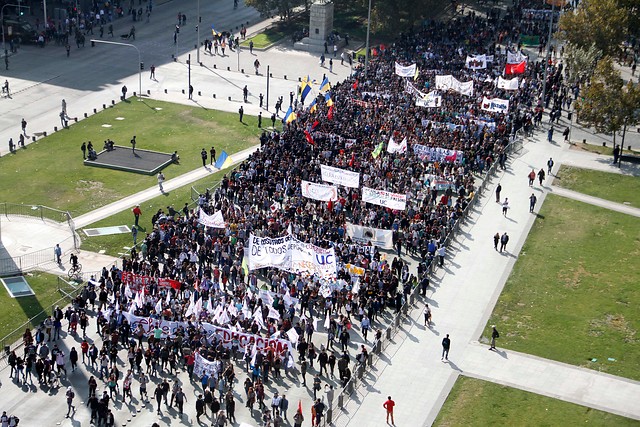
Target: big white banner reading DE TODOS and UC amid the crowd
[290, 254]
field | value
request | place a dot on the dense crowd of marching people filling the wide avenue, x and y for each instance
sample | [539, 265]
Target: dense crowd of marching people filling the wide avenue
[197, 275]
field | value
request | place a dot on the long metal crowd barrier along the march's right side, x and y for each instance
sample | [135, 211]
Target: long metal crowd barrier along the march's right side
[344, 395]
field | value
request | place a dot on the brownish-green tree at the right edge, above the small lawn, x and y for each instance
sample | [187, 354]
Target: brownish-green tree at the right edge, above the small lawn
[607, 103]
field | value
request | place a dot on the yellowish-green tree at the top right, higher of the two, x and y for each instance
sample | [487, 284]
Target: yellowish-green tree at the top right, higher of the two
[602, 23]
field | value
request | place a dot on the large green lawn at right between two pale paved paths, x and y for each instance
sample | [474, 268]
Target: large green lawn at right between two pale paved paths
[573, 293]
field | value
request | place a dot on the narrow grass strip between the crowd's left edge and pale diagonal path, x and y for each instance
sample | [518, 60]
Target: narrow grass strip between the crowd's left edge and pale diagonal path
[114, 244]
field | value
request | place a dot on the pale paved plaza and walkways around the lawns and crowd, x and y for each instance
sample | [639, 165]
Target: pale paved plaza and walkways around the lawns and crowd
[464, 292]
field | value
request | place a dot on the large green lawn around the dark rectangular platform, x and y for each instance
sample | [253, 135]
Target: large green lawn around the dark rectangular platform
[57, 177]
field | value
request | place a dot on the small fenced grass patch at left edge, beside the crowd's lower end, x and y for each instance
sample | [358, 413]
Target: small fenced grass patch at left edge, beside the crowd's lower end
[16, 311]
